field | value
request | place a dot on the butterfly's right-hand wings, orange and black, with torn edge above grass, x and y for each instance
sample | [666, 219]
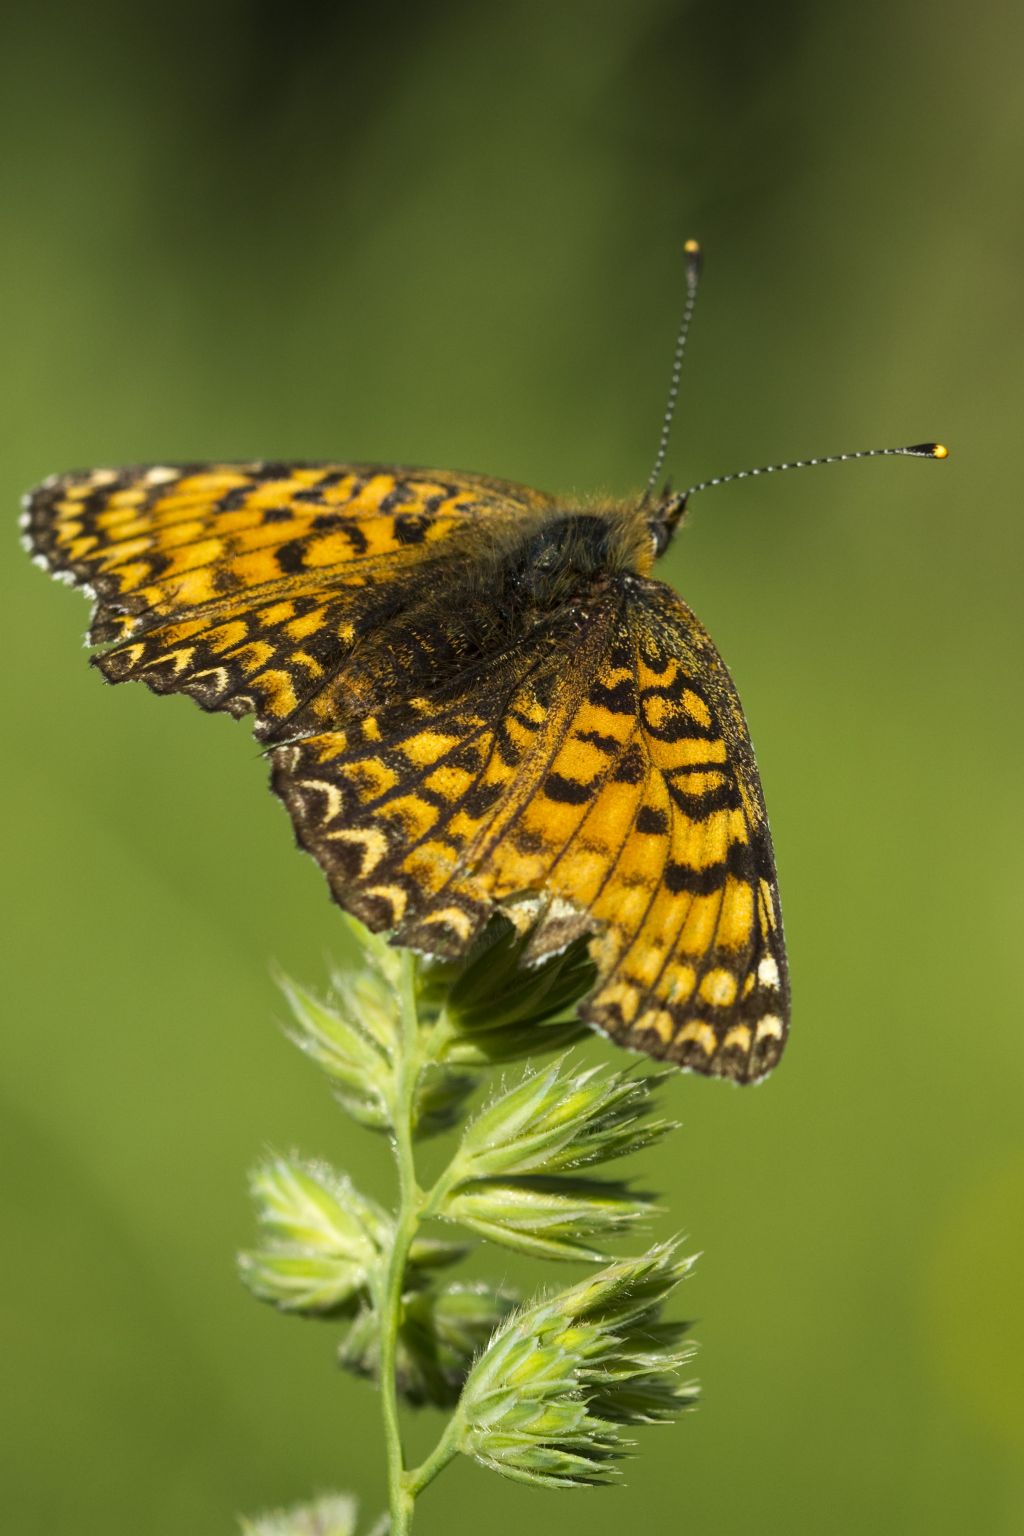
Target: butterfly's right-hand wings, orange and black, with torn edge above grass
[609, 772]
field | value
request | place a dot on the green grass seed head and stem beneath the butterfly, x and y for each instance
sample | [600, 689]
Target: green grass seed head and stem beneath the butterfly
[541, 1392]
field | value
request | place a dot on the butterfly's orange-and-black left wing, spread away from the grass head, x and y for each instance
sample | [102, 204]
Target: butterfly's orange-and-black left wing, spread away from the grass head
[246, 586]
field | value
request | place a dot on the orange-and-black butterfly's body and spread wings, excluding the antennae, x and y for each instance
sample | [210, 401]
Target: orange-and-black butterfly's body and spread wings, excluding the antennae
[474, 697]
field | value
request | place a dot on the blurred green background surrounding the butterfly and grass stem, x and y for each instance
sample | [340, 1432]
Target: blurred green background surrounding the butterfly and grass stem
[452, 236]
